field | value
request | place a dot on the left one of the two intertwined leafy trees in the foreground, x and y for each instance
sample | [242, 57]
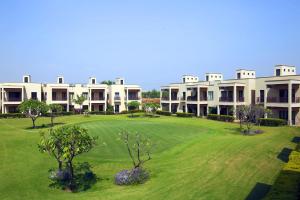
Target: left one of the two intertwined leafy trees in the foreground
[52, 143]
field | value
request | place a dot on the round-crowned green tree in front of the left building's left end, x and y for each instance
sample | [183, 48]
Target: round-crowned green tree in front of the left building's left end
[33, 109]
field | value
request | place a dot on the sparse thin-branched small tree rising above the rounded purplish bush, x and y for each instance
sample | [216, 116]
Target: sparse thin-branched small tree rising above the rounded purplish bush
[138, 147]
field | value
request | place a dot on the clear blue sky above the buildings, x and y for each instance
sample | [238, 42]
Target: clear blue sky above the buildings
[150, 43]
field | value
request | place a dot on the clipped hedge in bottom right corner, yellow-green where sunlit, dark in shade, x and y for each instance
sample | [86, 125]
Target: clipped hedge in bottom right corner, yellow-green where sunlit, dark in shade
[287, 186]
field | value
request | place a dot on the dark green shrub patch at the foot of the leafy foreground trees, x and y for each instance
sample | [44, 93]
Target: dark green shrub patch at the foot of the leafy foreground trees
[84, 179]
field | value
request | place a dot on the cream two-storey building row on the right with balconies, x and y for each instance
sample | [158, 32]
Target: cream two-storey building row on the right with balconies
[280, 93]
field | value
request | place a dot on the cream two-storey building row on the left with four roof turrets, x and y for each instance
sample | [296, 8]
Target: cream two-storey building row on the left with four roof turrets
[97, 96]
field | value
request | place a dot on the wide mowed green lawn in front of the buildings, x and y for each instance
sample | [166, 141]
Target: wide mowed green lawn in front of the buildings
[193, 159]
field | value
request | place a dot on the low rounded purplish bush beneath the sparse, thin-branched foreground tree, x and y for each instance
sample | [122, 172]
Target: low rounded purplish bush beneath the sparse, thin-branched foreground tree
[130, 177]
